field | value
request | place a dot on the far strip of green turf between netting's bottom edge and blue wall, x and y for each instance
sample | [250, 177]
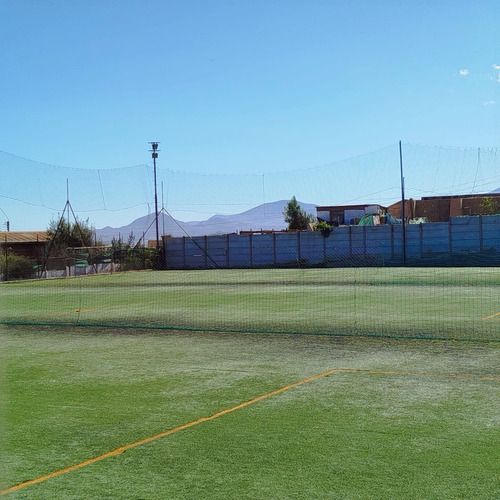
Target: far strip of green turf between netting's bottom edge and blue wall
[443, 303]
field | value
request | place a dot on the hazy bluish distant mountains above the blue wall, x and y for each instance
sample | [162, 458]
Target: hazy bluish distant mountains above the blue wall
[267, 216]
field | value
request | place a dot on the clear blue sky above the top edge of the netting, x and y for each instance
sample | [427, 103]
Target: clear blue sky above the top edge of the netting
[239, 87]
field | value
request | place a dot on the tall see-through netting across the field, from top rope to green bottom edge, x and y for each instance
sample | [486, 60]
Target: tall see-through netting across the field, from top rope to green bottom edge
[427, 279]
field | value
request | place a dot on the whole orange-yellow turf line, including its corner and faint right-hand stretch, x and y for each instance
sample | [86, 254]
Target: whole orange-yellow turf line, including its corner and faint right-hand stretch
[126, 447]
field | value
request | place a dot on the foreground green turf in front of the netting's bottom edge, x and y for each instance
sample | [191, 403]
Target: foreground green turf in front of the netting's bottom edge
[401, 419]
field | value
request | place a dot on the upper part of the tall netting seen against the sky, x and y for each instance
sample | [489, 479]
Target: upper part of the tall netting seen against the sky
[31, 193]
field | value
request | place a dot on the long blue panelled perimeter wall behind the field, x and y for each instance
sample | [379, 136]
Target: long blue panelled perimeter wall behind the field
[463, 241]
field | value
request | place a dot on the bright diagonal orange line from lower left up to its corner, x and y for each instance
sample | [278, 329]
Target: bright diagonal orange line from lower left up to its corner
[121, 449]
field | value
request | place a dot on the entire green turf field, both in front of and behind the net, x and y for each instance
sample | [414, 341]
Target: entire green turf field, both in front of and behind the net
[149, 411]
